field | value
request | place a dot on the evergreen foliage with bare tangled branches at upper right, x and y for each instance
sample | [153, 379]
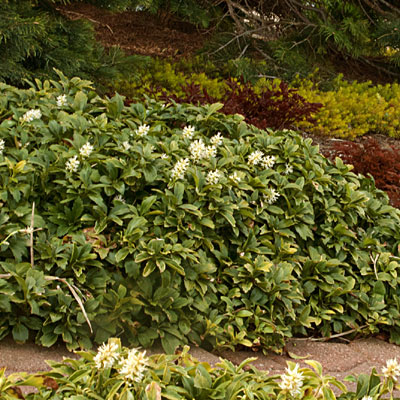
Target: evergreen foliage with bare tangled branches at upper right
[294, 36]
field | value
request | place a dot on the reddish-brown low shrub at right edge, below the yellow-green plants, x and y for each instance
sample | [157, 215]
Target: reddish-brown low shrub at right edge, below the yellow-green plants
[369, 157]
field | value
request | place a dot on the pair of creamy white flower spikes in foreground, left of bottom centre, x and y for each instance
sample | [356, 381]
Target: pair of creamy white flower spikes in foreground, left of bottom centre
[131, 368]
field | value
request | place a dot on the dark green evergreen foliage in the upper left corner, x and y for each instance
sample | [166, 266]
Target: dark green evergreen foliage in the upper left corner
[34, 39]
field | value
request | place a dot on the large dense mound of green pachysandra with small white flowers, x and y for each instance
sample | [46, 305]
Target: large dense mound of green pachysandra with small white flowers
[176, 222]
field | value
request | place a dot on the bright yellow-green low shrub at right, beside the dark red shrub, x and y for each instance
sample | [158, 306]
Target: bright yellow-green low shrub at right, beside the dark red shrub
[353, 109]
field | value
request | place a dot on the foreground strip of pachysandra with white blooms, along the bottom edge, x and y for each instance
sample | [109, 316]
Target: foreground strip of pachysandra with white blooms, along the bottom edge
[118, 372]
